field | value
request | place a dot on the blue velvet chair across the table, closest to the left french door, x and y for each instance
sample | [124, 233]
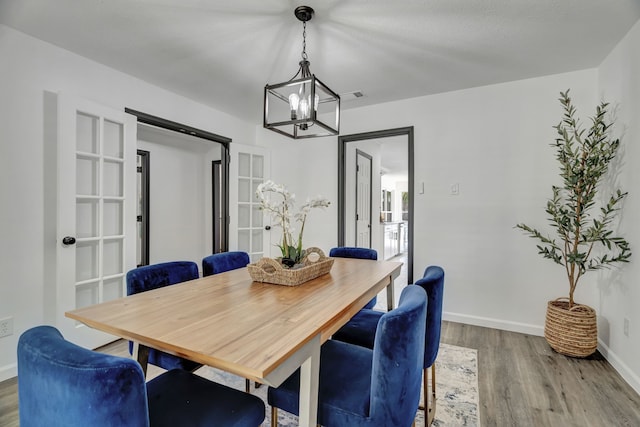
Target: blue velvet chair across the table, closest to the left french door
[155, 276]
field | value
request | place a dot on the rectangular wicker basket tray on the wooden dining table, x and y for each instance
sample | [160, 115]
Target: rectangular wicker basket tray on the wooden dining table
[269, 270]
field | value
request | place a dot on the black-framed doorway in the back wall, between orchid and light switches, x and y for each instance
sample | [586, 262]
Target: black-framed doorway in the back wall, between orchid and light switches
[399, 218]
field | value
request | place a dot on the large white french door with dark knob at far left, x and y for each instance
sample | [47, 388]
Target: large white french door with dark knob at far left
[96, 210]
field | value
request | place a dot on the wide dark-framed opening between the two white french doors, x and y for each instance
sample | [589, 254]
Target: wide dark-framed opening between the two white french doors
[183, 156]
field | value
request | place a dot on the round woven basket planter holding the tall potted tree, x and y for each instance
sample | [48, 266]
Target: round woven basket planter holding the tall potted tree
[572, 332]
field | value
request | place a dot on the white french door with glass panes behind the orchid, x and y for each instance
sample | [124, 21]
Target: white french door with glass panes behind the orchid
[249, 227]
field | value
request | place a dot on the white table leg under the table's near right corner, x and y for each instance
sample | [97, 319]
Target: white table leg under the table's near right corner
[309, 381]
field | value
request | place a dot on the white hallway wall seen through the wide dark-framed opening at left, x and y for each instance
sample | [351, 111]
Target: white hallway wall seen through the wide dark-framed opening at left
[180, 220]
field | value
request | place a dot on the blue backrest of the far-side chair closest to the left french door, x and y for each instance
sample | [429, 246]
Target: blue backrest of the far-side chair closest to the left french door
[155, 276]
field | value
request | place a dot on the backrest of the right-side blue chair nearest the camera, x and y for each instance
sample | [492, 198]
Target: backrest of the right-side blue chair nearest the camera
[396, 378]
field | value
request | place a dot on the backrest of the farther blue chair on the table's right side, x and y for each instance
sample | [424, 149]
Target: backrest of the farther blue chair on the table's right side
[433, 283]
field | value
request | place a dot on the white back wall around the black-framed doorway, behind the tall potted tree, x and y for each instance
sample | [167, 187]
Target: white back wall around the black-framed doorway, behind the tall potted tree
[493, 141]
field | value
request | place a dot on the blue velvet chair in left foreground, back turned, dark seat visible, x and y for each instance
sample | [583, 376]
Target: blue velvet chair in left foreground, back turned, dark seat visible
[62, 384]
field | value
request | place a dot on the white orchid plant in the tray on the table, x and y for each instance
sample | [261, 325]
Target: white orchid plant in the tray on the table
[281, 211]
